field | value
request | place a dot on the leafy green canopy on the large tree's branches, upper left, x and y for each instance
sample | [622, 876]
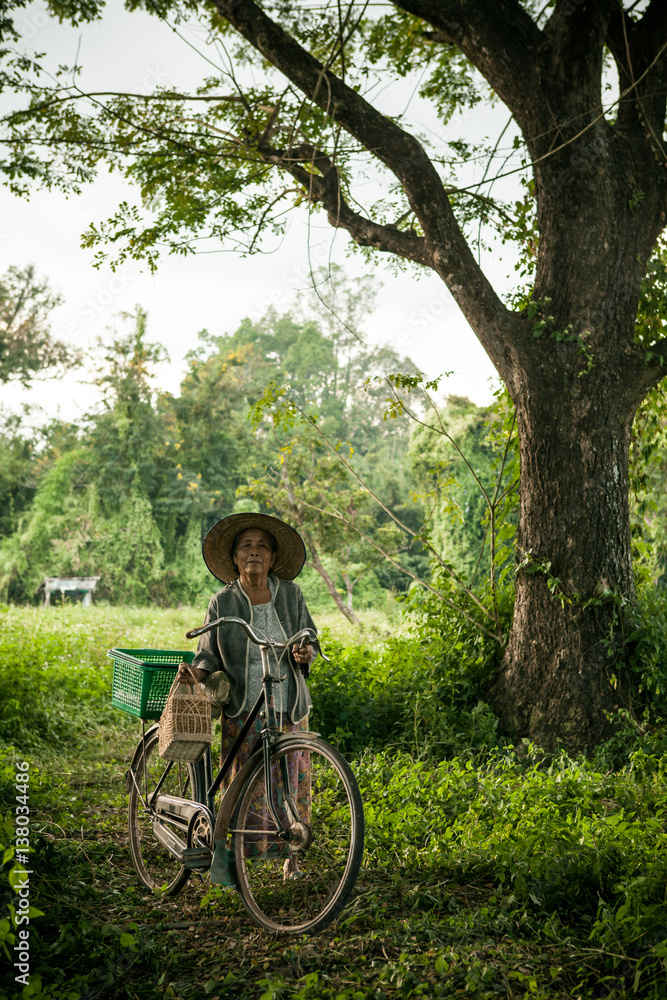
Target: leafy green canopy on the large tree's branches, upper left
[160, 141]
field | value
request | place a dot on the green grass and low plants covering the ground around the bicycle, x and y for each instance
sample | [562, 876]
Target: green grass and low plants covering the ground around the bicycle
[494, 873]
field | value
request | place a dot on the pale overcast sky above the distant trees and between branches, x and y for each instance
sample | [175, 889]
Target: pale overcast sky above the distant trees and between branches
[416, 315]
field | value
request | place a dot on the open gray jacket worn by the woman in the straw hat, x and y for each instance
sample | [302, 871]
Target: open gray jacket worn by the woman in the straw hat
[227, 648]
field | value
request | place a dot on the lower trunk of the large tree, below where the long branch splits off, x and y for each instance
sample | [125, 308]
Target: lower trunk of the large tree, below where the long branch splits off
[574, 558]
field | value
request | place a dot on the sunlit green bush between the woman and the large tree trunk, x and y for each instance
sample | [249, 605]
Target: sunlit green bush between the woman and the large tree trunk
[423, 689]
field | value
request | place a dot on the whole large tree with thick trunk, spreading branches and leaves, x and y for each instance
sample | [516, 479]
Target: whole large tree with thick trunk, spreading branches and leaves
[223, 161]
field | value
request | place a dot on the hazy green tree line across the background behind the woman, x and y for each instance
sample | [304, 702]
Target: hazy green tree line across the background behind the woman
[378, 479]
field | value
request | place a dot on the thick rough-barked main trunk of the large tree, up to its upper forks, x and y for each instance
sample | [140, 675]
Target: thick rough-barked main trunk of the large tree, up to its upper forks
[576, 388]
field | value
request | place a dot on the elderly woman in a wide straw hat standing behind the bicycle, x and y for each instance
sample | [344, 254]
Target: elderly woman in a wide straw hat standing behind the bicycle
[258, 557]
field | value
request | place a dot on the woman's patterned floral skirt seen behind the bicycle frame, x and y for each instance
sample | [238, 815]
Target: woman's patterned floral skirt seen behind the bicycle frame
[298, 769]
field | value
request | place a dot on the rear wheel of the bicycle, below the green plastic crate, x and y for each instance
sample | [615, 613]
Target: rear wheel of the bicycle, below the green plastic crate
[156, 865]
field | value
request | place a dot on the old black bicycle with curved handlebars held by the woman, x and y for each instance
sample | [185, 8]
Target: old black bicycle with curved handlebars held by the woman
[173, 822]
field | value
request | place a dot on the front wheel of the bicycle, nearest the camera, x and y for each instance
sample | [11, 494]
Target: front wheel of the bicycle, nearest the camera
[299, 885]
